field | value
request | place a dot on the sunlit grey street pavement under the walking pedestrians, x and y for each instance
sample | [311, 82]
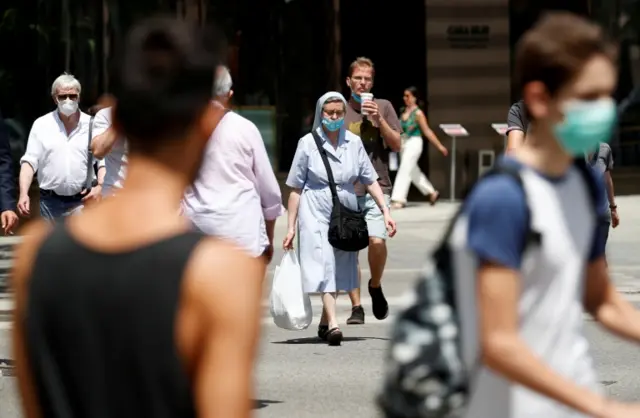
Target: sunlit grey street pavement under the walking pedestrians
[297, 376]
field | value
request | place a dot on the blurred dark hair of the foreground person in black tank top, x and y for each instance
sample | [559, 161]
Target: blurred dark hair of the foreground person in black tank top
[163, 80]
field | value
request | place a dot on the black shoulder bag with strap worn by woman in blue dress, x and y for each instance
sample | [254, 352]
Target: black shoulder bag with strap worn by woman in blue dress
[347, 227]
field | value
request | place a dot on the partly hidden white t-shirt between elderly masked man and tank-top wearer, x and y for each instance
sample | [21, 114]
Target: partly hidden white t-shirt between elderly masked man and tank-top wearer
[116, 160]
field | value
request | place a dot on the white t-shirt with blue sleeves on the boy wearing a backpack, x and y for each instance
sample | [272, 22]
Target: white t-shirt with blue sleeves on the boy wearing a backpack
[493, 227]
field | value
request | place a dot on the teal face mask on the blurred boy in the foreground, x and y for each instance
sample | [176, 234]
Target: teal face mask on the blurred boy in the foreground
[586, 124]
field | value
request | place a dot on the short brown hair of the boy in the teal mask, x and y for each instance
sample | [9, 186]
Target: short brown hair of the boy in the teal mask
[556, 49]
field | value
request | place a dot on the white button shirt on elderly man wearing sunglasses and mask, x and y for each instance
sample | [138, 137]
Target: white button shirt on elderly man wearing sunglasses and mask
[60, 160]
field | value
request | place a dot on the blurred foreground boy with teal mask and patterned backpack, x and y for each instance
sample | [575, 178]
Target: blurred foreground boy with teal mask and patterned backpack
[496, 327]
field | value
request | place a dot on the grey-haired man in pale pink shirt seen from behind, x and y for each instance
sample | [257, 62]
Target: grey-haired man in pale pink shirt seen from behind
[236, 195]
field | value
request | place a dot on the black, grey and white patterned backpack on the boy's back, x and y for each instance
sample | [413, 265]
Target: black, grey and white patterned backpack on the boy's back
[426, 376]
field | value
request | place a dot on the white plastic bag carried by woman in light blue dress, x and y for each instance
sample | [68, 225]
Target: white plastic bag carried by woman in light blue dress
[290, 306]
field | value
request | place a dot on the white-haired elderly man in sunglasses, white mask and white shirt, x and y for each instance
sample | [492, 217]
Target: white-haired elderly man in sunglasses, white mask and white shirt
[58, 151]
